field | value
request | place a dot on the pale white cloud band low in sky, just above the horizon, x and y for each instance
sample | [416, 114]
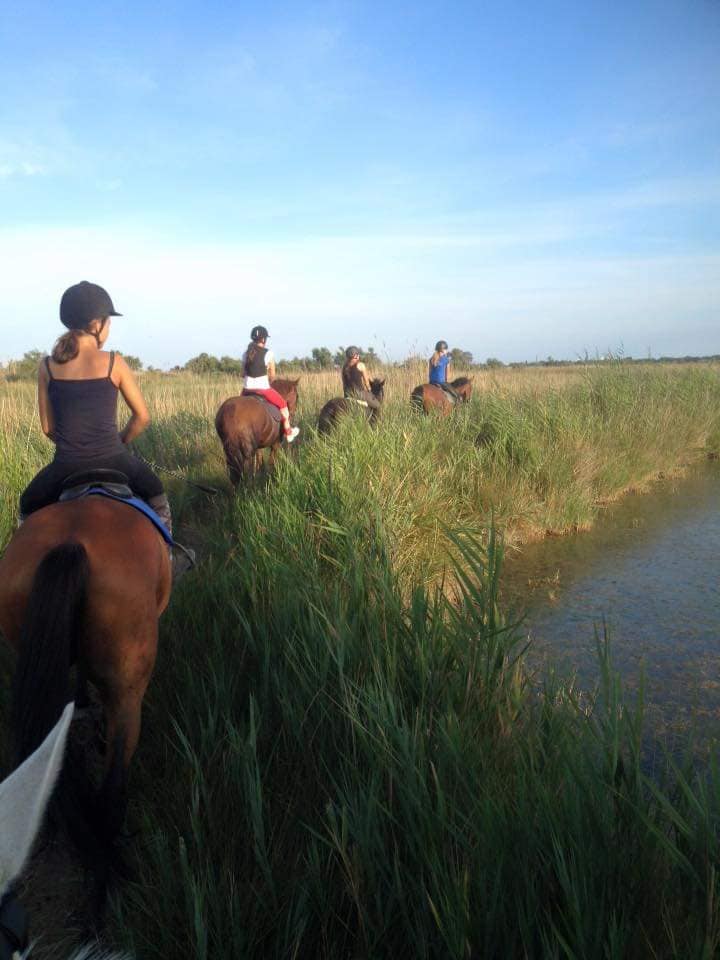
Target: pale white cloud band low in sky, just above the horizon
[180, 299]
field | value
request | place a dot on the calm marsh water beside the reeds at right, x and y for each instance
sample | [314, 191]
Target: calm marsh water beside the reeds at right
[649, 573]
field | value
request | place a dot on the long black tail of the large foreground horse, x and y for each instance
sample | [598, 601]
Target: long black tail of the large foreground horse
[54, 616]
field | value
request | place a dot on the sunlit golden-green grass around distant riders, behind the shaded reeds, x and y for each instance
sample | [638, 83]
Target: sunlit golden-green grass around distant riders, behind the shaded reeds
[541, 450]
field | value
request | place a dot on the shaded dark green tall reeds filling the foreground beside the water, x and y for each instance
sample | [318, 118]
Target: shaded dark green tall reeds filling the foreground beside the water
[330, 768]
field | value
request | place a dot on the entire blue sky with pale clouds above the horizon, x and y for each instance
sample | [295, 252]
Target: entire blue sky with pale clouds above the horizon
[520, 179]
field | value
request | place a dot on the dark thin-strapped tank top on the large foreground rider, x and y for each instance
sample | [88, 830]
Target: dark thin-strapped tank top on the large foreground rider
[85, 417]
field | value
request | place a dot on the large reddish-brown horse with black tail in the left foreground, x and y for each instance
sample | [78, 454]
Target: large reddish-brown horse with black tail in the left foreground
[84, 582]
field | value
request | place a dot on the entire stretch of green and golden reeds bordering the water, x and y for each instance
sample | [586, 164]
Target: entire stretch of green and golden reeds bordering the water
[337, 761]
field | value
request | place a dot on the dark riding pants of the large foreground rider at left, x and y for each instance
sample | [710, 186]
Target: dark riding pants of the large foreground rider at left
[47, 485]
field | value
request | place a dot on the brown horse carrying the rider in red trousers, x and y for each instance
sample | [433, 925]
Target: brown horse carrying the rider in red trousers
[245, 427]
